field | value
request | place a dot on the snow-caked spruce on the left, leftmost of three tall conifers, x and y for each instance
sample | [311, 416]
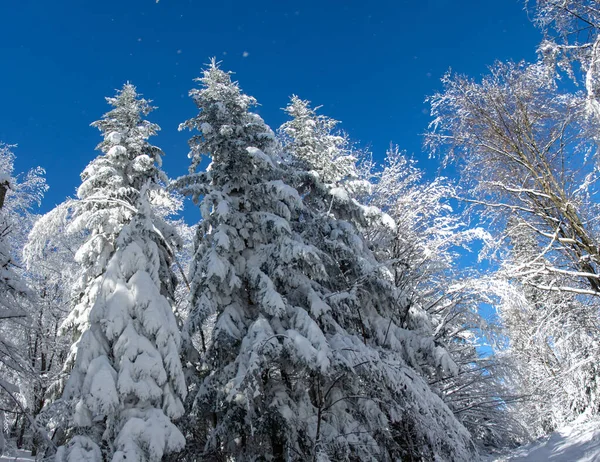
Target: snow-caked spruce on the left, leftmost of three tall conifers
[126, 382]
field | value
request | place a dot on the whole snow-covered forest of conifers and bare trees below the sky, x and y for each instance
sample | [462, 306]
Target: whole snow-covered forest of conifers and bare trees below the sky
[326, 306]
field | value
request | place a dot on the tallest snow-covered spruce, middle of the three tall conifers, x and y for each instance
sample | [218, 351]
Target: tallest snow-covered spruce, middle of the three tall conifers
[241, 240]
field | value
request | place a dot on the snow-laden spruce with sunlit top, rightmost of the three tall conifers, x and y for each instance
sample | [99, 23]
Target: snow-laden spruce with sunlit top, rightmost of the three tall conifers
[361, 313]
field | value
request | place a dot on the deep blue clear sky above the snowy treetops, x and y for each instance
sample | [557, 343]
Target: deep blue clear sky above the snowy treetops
[369, 63]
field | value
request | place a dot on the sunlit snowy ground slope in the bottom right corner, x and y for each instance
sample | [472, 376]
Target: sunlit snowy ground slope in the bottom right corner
[579, 442]
